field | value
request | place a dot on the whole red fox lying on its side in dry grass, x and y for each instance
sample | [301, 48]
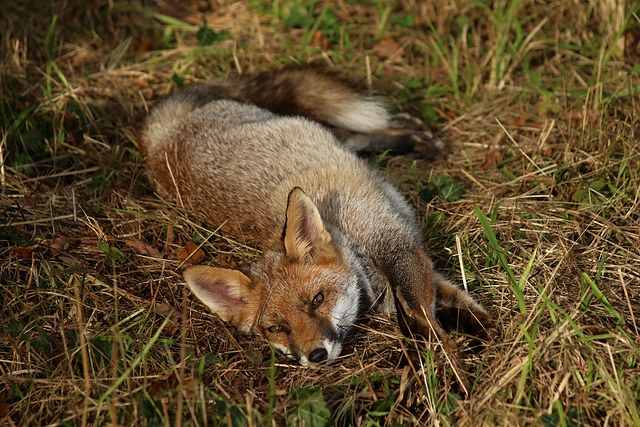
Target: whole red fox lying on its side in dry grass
[259, 156]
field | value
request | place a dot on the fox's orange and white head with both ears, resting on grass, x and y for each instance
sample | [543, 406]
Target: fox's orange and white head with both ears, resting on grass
[302, 298]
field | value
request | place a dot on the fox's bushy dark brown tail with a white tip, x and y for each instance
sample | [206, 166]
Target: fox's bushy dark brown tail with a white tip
[290, 92]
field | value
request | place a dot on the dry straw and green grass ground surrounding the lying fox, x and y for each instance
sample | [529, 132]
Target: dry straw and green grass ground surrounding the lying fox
[535, 209]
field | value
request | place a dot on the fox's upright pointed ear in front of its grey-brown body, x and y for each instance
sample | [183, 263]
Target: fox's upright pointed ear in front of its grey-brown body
[305, 237]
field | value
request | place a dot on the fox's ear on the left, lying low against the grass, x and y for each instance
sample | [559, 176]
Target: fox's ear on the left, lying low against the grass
[226, 292]
